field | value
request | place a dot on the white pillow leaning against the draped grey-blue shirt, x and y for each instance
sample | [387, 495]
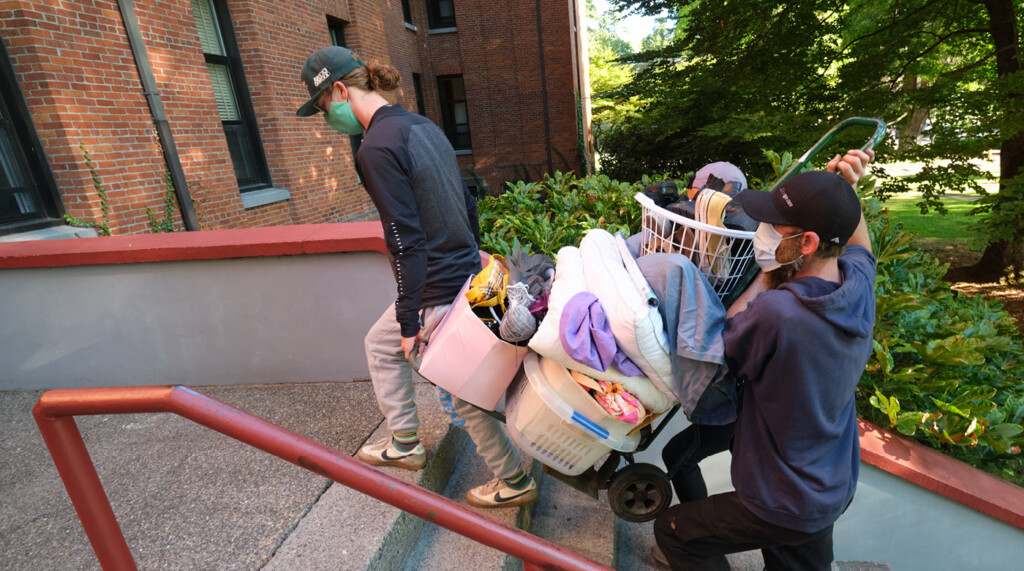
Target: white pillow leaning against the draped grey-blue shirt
[632, 311]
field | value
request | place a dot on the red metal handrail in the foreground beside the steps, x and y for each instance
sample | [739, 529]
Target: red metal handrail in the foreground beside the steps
[56, 411]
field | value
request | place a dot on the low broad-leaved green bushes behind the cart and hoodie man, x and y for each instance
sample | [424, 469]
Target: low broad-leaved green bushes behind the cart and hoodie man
[948, 369]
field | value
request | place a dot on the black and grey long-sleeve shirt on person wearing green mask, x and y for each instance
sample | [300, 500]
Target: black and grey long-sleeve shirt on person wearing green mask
[430, 217]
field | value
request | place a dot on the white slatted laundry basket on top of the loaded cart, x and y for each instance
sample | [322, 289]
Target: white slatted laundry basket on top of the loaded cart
[722, 255]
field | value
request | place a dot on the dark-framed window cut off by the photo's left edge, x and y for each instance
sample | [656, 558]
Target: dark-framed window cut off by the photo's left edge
[29, 197]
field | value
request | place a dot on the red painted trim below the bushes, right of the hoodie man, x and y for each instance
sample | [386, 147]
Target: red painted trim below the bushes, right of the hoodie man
[942, 474]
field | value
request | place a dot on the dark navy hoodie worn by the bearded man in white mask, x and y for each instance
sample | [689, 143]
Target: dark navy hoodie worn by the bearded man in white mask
[801, 350]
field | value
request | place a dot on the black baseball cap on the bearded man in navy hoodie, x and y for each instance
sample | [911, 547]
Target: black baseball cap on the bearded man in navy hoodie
[818, 201]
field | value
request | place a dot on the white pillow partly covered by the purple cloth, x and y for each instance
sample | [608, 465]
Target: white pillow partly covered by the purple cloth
[569, 282]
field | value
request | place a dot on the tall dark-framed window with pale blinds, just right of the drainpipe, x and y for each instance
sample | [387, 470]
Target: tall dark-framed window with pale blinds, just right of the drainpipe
[232, 94]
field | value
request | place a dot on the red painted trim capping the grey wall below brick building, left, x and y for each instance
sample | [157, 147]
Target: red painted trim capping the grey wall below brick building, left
[212, 245]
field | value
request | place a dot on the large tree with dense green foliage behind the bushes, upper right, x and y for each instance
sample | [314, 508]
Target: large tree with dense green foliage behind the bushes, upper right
[743, 76]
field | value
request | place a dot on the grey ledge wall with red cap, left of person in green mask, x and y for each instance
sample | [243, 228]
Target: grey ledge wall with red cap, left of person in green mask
[253, 306]
